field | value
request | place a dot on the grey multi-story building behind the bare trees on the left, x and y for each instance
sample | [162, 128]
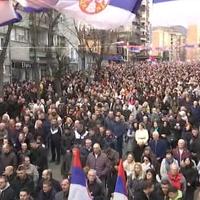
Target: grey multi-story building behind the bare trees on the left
[21, 54]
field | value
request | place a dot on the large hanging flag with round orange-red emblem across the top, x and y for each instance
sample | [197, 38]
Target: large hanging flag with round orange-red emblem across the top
[101, 14]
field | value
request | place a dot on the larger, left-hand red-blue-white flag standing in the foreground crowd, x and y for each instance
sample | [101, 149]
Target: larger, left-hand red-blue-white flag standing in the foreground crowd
[78, 189]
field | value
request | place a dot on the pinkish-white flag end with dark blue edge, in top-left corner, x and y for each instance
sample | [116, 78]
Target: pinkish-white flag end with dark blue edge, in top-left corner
[8, 15]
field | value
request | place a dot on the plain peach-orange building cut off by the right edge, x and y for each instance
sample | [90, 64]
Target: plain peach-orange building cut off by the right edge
[193, 42]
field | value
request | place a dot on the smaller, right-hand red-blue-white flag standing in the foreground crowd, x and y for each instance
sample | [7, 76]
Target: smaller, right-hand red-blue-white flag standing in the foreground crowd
[120, 187]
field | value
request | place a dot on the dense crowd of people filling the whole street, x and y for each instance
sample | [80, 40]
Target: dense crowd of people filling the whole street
[147, 114]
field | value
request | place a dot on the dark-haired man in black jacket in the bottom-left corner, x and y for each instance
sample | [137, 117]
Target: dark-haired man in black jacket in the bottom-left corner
[6, 192]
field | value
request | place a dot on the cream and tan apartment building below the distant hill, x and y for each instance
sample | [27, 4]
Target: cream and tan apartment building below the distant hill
[168, 43]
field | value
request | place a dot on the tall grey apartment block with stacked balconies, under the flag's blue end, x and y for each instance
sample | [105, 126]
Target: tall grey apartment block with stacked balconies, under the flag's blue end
[136, 34]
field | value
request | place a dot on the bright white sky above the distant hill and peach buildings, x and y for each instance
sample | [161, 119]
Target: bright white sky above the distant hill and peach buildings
[179, 12]
